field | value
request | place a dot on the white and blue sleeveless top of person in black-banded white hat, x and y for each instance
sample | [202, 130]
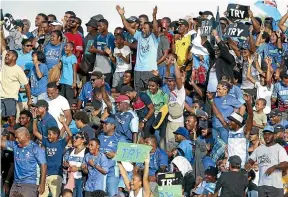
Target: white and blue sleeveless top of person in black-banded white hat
[237, 145]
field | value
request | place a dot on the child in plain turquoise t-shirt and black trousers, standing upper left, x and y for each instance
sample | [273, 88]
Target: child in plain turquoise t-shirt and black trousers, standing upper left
[69, 74]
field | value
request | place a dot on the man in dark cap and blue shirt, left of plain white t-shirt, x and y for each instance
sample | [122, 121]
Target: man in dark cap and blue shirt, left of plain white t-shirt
[43, 121]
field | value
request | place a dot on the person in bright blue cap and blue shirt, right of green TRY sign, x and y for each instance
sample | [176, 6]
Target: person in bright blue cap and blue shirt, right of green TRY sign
[184, 147]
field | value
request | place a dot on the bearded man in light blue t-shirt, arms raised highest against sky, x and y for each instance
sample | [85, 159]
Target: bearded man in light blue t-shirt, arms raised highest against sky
[147, 49]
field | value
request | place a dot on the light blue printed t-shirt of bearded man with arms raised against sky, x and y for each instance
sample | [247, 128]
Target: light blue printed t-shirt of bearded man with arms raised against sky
[146, 59]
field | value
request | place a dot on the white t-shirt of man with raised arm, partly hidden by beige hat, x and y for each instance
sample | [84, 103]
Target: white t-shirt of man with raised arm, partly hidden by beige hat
[177, 96]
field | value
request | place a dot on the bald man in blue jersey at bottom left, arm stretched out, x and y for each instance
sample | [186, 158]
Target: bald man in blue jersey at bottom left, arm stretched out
[27, 156]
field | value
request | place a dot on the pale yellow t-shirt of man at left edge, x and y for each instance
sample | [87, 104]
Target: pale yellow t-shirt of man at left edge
[11, 79]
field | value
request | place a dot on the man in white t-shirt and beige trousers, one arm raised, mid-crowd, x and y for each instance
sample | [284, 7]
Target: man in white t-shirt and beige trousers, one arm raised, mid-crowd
[175, 108]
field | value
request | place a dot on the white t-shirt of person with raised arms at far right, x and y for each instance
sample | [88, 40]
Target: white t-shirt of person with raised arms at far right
[266, 93]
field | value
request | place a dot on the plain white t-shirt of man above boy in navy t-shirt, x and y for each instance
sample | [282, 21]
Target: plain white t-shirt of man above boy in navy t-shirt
[57, 106]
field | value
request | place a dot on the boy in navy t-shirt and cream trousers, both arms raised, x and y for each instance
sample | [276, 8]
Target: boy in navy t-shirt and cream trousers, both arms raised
[54, 148]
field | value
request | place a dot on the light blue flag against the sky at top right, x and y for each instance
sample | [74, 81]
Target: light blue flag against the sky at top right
[270, 8]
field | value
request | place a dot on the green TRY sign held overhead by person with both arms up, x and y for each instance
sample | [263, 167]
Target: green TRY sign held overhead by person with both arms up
[132, 152]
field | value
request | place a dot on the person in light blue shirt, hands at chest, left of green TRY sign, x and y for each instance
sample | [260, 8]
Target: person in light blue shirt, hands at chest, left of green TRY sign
[95, 164]
